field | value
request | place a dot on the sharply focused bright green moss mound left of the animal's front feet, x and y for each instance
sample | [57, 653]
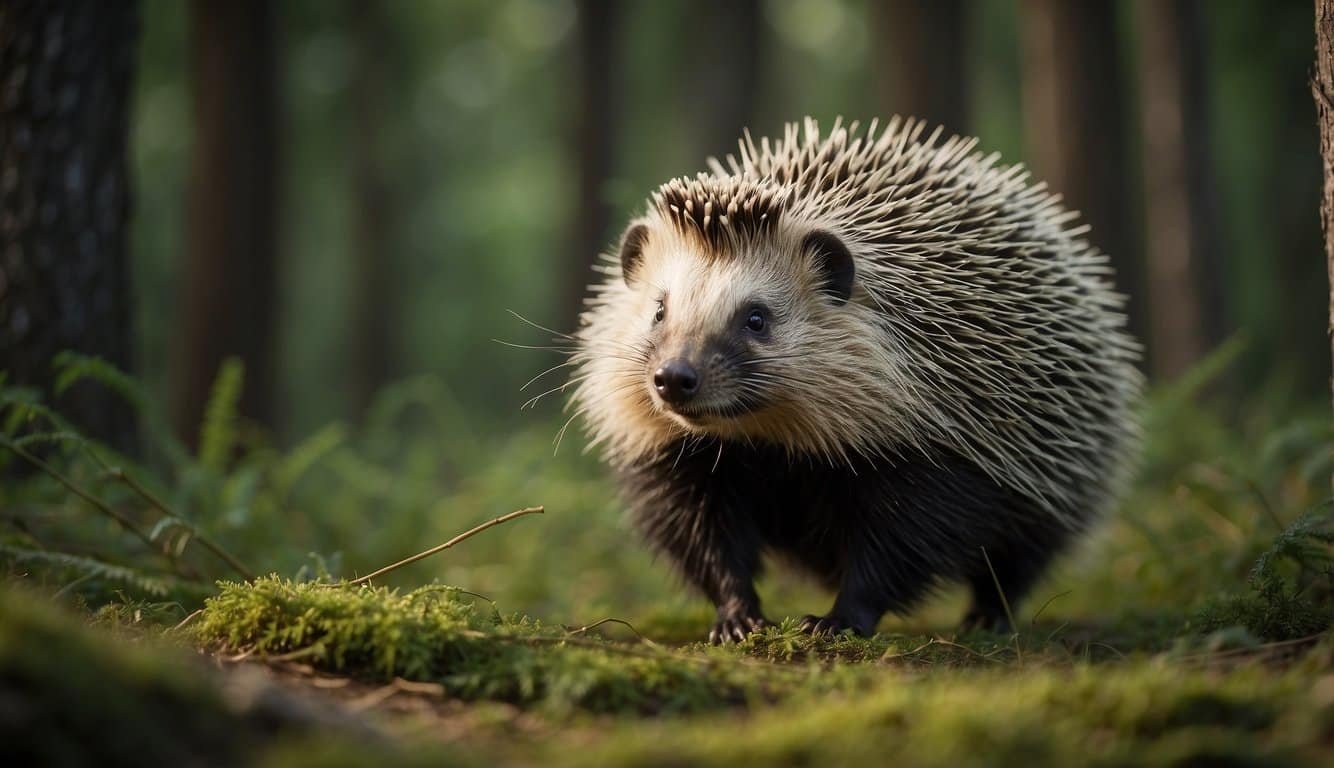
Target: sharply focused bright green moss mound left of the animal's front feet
[444, 635]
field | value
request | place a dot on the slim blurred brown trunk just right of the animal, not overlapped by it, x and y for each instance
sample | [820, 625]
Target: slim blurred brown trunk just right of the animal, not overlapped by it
[1184, 253]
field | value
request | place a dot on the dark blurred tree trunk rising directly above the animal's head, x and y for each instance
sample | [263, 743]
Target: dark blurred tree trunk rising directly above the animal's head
[726, 85]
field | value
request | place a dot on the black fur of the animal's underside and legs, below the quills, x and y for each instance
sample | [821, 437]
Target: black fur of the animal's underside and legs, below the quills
[882, 534]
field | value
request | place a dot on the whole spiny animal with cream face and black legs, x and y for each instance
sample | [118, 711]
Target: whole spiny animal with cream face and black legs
[882, 357]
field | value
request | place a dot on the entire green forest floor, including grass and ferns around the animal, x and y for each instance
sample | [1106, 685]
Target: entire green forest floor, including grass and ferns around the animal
[1193, 629]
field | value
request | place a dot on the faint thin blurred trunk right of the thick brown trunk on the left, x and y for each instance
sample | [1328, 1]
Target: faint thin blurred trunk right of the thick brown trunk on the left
[373, 311]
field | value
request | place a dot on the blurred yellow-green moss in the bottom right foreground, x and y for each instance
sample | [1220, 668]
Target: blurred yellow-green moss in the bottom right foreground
[1147, 713]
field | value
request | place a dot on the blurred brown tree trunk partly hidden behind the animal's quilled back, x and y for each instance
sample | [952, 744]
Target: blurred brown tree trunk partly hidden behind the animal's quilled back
[1077, 123]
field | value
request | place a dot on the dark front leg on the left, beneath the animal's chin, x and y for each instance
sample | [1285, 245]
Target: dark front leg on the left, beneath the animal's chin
[716, 547]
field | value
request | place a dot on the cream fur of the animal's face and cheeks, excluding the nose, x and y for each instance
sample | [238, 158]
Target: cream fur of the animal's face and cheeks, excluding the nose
[821, 377]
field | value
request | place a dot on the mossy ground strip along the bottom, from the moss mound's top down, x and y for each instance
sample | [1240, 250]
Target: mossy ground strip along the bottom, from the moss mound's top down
[1059, 697]
